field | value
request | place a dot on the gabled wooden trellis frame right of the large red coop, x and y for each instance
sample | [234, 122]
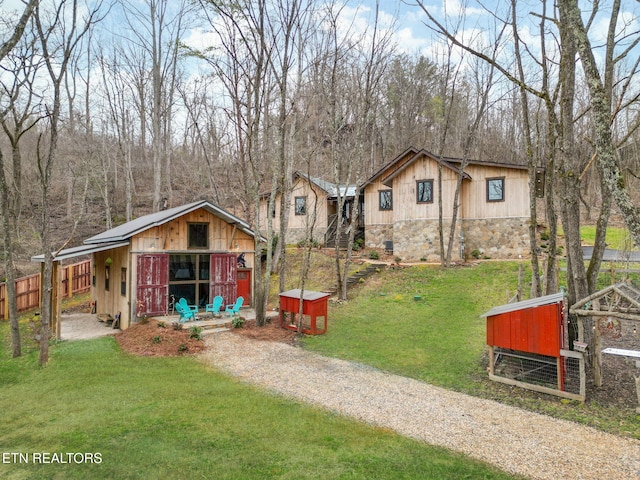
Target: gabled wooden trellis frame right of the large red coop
[607, 308]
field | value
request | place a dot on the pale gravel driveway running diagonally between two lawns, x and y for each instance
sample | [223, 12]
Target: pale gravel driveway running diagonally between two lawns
[517, 441]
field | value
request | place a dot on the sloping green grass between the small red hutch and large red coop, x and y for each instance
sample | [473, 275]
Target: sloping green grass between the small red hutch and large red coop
[438, 338]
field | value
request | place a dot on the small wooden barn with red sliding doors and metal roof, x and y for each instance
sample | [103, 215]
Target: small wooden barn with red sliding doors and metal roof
[195, 251]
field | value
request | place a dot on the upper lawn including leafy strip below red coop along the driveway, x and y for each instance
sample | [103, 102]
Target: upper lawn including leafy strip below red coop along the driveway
[440, 338]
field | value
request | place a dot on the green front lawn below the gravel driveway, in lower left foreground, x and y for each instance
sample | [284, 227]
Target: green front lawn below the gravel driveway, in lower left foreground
[175, 418]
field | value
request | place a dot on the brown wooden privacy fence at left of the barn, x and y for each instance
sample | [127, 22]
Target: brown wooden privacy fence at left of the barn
[75, 279]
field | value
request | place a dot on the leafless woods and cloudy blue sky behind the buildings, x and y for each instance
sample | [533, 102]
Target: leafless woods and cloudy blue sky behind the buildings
[111, 110]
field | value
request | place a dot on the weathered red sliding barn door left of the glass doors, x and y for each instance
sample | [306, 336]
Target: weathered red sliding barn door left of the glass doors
[152, 284]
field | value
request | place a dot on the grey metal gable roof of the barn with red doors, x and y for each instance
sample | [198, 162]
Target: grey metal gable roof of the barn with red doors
[129, 229]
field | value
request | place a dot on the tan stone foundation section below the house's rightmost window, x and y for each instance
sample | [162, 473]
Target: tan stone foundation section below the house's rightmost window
[497, 237]
